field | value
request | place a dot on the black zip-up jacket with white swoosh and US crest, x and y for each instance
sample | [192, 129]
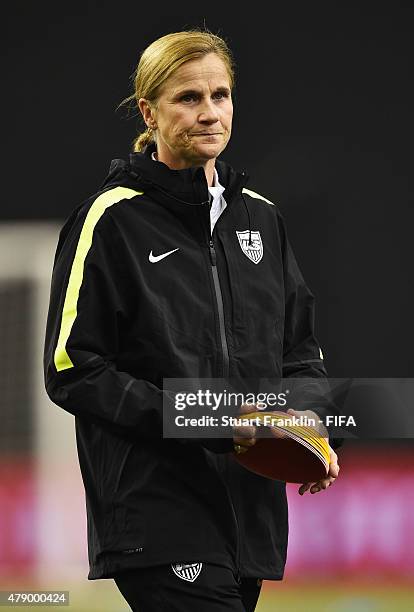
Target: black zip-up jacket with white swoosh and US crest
[118, 324]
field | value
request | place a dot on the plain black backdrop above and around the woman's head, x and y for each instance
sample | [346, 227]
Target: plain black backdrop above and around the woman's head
[323, 125]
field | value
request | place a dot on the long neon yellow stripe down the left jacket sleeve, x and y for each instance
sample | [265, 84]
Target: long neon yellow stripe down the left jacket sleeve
[69, 313]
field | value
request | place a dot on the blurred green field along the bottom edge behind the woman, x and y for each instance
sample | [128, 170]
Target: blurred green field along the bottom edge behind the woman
[103, 596]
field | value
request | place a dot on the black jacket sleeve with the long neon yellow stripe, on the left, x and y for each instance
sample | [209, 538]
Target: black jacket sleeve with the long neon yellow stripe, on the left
[88, 305]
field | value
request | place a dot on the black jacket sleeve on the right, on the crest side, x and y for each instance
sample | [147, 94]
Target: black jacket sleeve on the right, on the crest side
[302, 355]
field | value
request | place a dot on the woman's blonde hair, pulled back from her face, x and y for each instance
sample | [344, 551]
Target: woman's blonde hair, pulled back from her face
[162, 57]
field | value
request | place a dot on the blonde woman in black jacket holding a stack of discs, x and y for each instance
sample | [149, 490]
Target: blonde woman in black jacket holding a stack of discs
[174, 269]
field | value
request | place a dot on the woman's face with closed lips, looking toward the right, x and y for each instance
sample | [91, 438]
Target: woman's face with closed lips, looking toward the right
[193, 114]
